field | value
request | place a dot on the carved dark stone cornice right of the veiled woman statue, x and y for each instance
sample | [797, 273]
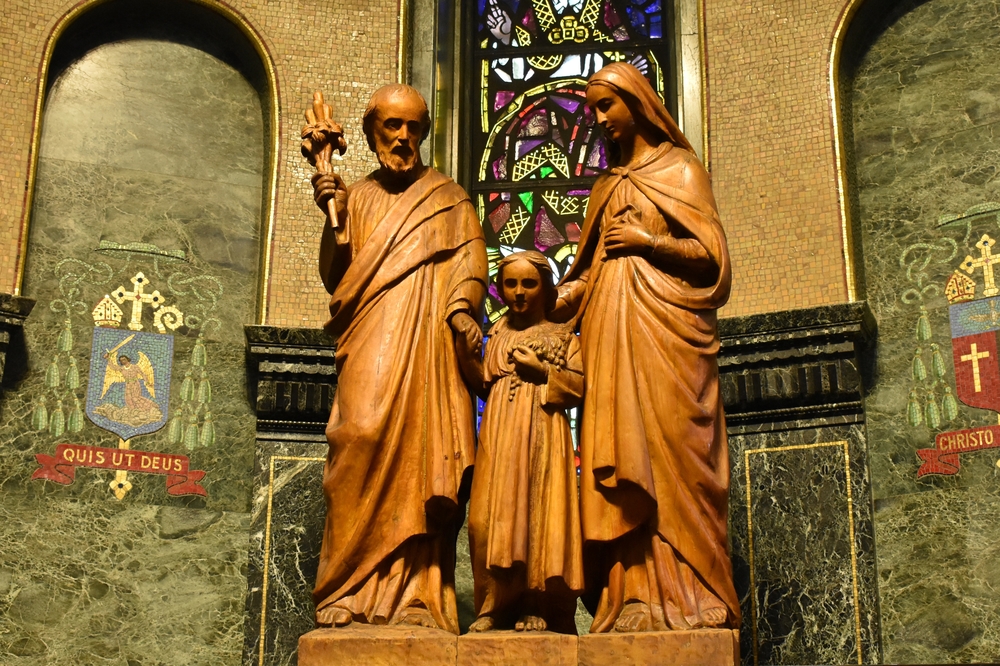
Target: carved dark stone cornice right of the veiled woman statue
[796, 367]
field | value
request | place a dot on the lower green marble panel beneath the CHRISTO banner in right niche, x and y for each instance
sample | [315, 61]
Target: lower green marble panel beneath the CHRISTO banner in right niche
[939, 572]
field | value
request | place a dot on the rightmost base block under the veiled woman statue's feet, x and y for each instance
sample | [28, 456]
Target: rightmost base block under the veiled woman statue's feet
[702, 647]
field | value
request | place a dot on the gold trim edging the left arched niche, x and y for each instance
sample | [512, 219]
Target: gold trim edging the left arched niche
[260, 47]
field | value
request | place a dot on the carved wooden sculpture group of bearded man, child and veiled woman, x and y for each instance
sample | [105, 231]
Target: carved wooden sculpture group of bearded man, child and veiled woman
[629, 332]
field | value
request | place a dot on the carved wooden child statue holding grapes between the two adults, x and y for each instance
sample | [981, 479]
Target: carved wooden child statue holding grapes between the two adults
[524, 516]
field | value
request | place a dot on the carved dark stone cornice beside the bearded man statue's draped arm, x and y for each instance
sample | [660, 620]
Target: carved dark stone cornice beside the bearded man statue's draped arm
[292, 377]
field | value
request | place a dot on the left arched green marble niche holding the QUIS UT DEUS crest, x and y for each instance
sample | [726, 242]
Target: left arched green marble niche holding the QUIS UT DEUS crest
[154, 168]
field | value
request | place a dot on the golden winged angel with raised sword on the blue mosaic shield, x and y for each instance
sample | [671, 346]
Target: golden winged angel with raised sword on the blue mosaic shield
[138, 410]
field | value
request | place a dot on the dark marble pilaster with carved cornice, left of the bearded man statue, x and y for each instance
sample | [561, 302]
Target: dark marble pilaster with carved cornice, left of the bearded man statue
[292, 378]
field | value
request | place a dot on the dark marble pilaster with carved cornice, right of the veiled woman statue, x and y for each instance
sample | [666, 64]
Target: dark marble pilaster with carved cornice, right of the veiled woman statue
[800, 502]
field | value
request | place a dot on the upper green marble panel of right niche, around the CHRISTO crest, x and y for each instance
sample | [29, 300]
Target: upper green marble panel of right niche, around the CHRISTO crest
[925, 101]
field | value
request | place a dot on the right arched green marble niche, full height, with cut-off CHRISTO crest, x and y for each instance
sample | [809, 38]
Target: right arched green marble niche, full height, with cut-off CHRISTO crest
[920, 104]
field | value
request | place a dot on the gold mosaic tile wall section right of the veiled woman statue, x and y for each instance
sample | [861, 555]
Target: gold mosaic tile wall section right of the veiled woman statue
[772, 153]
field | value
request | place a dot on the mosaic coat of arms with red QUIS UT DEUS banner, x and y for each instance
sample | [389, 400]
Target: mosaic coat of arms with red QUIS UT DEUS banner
[128, 395]
